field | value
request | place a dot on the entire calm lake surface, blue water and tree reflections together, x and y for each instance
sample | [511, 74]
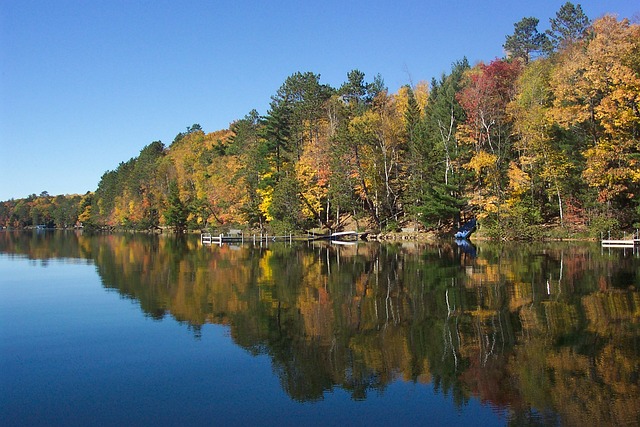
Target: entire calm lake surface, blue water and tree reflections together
[148, 330]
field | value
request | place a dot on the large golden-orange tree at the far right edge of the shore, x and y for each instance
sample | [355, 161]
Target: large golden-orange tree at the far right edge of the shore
[597, 84]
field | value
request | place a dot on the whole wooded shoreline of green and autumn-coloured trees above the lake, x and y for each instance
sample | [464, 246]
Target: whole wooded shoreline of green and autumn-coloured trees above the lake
[544, 142]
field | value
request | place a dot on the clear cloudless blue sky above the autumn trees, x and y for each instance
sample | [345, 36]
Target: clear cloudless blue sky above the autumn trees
[86, 84]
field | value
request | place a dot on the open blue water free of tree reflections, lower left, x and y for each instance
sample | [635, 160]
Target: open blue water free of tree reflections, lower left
[74, 353]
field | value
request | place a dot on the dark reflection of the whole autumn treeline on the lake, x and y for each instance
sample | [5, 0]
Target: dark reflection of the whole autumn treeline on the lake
[548, 332]
